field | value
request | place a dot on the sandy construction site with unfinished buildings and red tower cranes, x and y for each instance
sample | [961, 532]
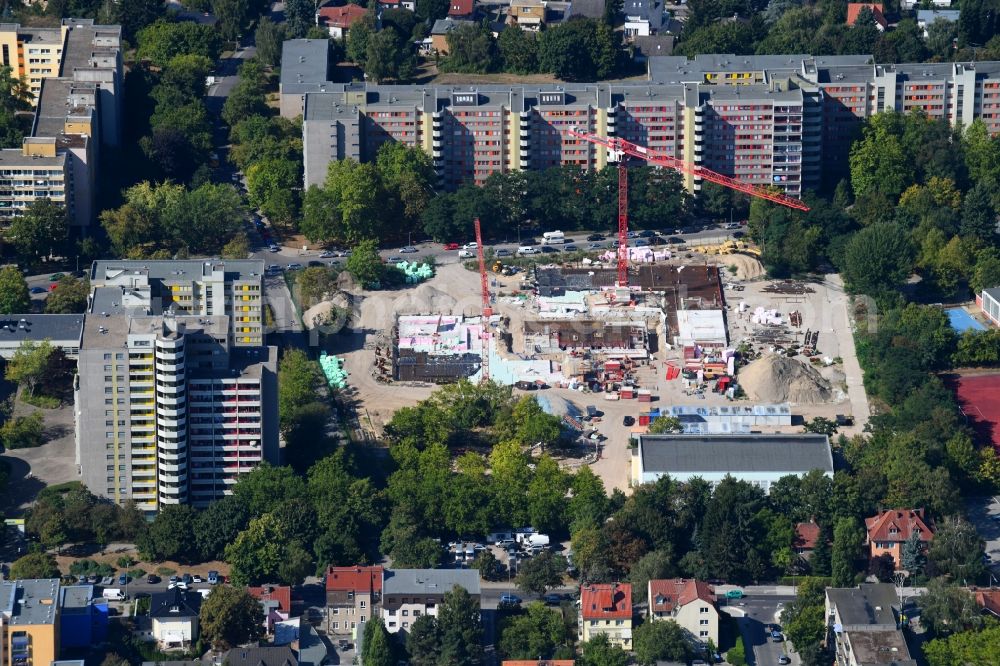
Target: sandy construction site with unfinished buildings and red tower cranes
[611, 342]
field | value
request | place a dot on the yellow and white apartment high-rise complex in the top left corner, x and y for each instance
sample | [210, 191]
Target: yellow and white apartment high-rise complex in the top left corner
[74, 73]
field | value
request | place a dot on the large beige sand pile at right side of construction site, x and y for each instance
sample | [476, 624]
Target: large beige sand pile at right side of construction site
[776, 378]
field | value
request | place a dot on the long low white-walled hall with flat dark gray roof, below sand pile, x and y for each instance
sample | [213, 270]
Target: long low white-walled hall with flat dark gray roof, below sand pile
[759, 459]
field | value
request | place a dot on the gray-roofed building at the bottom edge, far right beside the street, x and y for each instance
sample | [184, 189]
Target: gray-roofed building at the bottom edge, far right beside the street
[862, 628]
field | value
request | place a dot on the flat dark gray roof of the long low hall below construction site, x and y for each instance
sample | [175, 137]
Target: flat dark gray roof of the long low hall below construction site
[735, 453]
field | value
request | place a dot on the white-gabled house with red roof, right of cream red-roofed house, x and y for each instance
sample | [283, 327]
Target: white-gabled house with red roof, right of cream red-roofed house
[688, 602]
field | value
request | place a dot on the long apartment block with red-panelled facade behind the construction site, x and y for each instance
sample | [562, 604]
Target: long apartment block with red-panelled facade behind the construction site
[785, 121]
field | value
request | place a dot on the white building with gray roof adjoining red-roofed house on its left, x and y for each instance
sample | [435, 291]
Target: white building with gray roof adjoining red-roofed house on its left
[409, 593]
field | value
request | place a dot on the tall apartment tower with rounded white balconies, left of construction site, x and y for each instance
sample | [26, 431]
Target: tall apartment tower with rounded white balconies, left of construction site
[176, 394]
